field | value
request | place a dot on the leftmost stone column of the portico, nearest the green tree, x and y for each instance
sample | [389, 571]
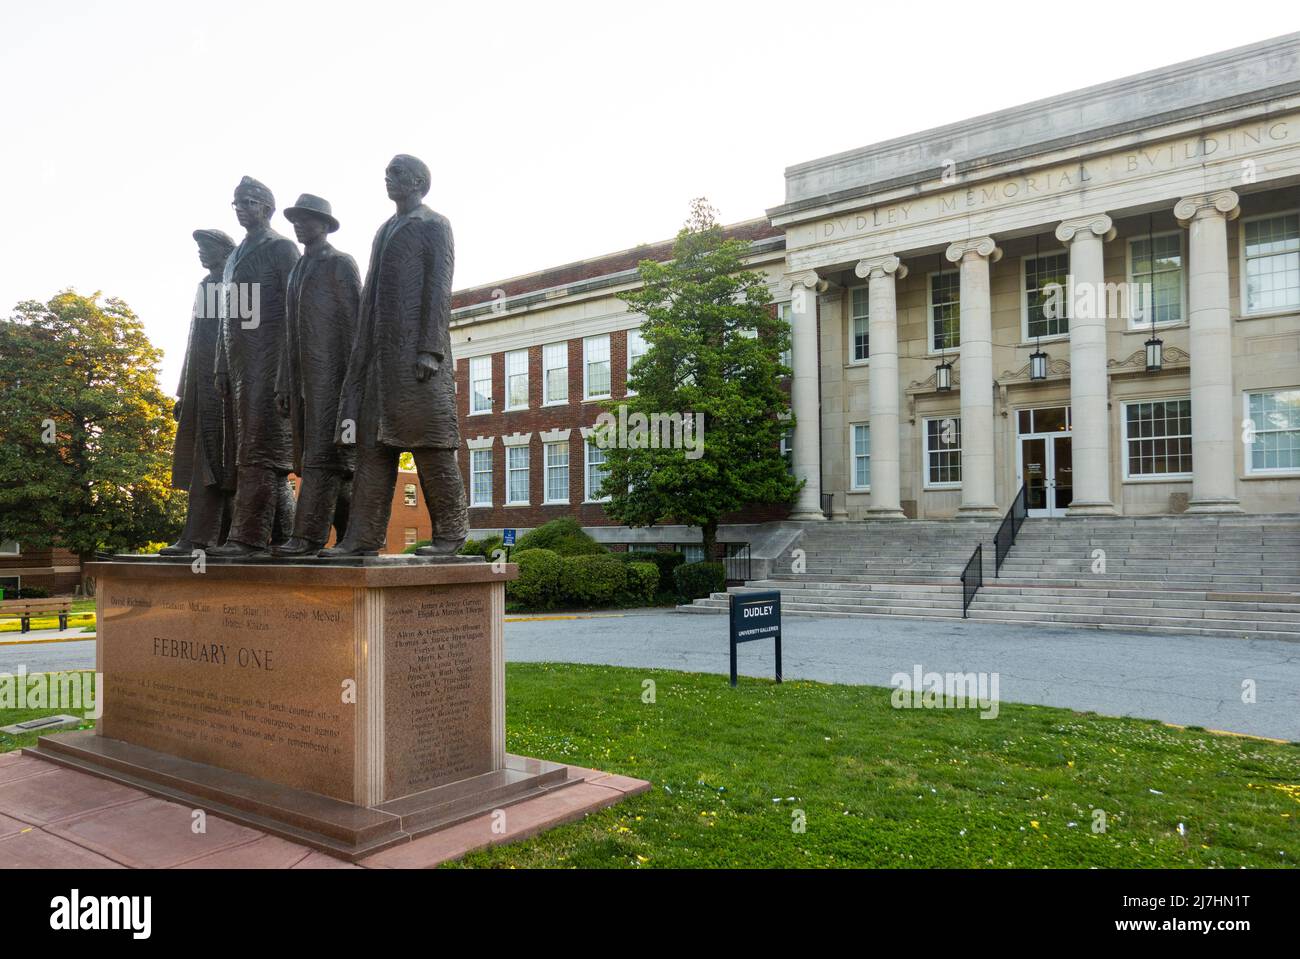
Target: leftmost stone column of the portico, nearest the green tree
[805, 398]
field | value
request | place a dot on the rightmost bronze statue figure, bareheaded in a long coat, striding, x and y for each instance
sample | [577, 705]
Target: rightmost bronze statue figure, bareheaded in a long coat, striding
[400, 392]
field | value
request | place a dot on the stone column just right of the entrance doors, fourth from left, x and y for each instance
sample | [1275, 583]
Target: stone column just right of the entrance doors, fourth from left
[1090, 384]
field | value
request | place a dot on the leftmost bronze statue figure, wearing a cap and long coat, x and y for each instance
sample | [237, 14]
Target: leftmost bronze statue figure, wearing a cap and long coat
[203, 459]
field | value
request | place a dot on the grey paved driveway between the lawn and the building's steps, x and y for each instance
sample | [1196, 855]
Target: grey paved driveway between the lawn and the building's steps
[1178, 679]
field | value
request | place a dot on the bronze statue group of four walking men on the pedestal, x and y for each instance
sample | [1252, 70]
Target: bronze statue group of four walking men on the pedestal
[294, 367]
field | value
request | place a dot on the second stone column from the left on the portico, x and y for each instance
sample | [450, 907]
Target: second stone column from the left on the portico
[883, 384]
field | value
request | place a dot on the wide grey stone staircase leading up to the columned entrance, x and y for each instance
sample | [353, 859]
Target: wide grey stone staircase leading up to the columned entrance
[1233, 576]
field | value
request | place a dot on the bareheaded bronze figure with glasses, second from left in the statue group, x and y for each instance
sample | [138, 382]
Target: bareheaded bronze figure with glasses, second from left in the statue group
[253, 339]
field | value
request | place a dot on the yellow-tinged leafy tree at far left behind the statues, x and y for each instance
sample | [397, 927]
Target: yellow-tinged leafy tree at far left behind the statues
[86, 432]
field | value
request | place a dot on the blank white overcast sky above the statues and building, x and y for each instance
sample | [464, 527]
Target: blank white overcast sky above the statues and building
[554, 131]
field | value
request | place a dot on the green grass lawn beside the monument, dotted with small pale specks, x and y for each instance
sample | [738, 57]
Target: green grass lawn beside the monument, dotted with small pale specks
[881, 787]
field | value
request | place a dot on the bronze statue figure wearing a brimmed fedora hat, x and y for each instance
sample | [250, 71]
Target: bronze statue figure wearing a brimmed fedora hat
[324, 300]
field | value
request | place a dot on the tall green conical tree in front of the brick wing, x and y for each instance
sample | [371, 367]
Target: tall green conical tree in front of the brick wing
[713, 349]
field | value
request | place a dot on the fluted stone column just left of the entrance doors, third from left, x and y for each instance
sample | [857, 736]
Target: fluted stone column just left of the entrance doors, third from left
[980, 497]
